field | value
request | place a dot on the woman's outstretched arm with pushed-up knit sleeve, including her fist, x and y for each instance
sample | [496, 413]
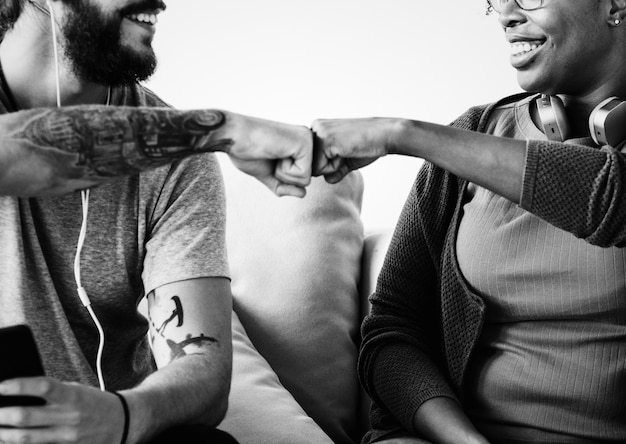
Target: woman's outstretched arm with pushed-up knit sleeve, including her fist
[577, 188]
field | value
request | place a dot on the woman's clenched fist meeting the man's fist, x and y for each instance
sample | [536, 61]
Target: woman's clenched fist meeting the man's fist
[343, 145]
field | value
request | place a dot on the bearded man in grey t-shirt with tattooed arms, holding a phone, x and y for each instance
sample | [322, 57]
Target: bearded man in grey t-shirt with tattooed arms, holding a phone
[75, 117]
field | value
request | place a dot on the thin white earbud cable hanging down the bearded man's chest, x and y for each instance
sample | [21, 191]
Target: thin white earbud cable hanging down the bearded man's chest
[82, 293]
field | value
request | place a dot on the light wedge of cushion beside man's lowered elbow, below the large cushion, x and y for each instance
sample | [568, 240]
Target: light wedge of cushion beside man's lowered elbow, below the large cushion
[261, 410]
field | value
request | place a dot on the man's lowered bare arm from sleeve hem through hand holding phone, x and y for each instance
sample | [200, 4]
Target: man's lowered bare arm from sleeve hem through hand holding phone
[191, 339]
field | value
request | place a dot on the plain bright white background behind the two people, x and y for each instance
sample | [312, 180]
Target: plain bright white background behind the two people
[297, 60]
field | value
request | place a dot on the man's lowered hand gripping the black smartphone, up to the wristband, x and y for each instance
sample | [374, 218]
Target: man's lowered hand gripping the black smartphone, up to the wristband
[73, 414]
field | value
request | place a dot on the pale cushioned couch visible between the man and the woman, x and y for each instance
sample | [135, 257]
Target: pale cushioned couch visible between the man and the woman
[301, 270]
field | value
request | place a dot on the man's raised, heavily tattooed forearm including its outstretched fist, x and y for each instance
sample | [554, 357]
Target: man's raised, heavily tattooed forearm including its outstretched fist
[56, 151]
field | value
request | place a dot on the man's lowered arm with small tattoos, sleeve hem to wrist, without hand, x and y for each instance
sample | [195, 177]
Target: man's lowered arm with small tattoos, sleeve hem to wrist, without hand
[191, 339]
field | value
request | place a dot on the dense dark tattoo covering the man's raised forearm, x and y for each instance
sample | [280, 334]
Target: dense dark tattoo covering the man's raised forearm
[116, 141]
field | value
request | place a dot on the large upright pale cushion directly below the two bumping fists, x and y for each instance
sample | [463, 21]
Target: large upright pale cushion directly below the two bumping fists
[295, 267]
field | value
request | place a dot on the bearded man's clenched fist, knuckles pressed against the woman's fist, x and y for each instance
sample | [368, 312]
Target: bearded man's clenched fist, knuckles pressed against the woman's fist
[278, 154]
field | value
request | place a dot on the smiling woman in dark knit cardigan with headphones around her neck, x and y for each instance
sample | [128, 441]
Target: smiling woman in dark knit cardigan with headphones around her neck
[500, 312]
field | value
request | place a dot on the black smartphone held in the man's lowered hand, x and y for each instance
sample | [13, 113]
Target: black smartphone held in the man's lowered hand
[19, 357]
